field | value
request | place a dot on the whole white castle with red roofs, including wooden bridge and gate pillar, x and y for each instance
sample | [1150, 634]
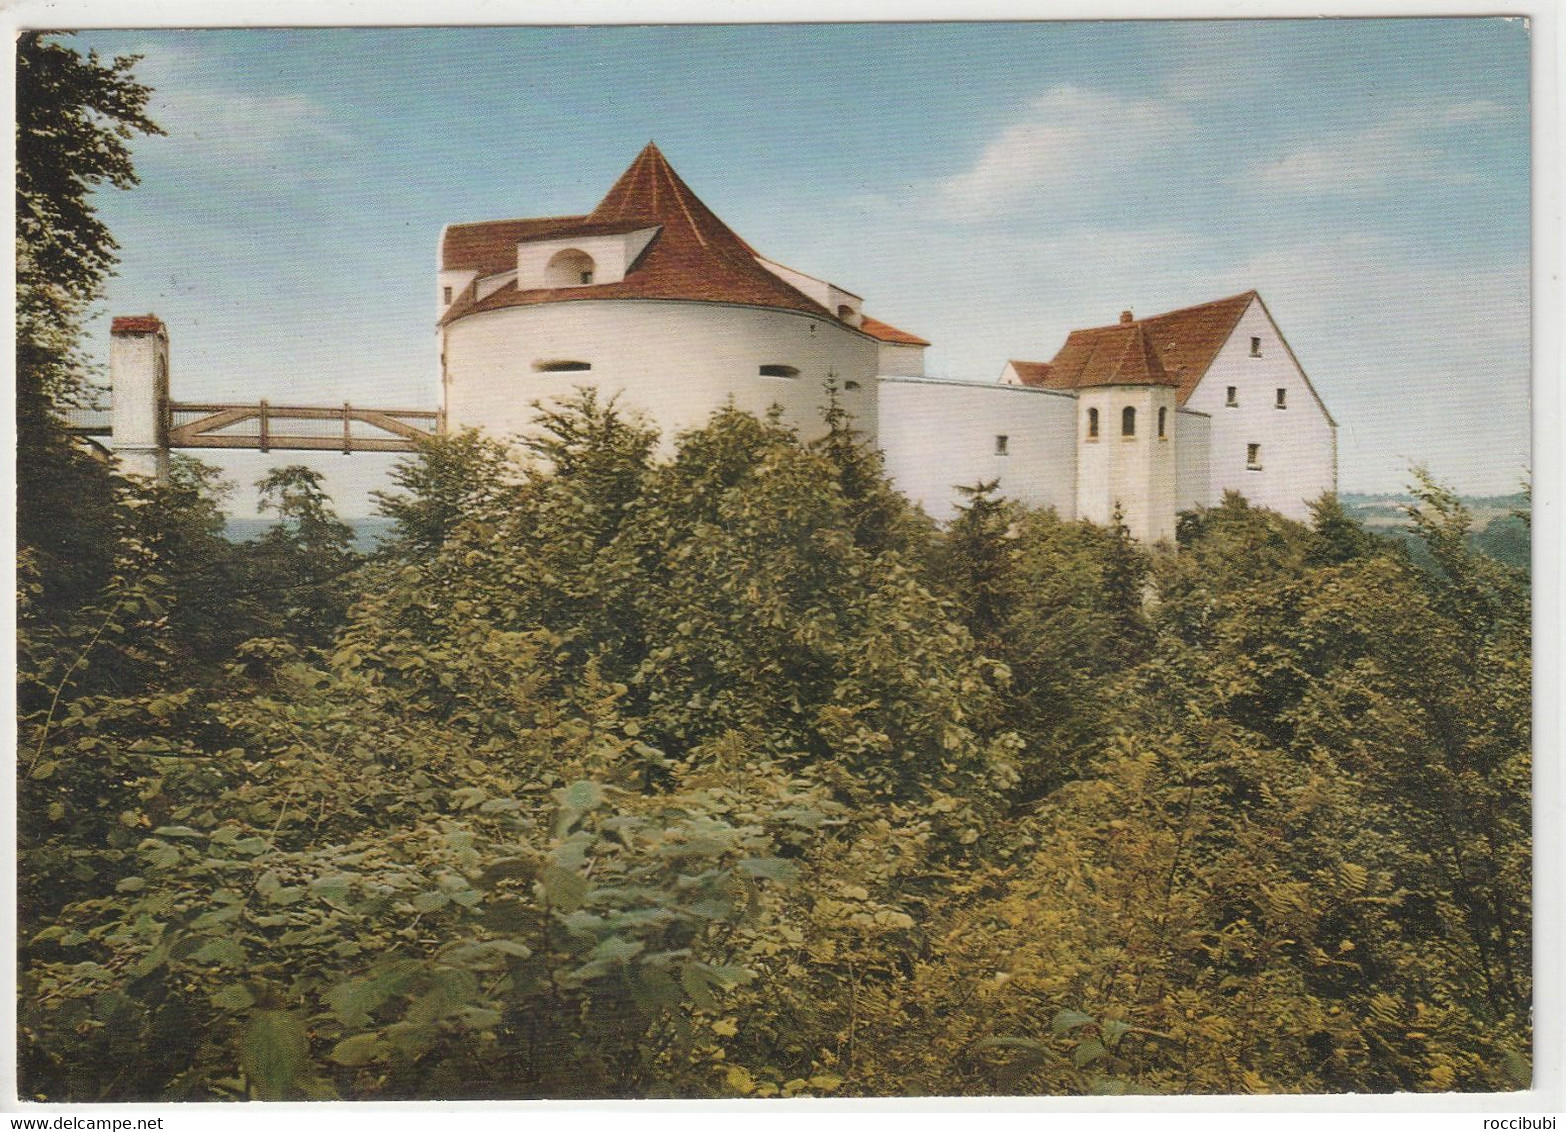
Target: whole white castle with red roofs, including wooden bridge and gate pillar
[652, 298]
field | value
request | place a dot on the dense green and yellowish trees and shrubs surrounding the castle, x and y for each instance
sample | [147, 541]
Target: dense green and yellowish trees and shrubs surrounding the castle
[731, 774]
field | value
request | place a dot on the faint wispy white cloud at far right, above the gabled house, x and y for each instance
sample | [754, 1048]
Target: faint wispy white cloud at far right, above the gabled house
[1371, 160]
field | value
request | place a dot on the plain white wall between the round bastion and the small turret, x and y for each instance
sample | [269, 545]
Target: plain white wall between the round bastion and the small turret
[942, 434]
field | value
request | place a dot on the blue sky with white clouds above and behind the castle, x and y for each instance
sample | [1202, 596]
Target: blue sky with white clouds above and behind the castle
[989, 187]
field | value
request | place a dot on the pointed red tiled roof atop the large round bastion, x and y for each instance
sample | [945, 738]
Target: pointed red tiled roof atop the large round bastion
[693, 258]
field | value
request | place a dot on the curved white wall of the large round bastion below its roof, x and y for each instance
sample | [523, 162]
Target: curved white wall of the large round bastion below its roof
[677, 362]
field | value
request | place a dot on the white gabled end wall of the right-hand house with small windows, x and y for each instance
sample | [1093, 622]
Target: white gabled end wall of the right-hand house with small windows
[1297, 449]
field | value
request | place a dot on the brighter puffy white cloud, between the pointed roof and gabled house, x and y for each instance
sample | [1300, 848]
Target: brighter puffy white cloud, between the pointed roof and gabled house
[1070, 139]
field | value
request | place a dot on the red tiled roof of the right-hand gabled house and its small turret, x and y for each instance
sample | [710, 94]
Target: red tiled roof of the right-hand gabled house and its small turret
[1183, 344]
